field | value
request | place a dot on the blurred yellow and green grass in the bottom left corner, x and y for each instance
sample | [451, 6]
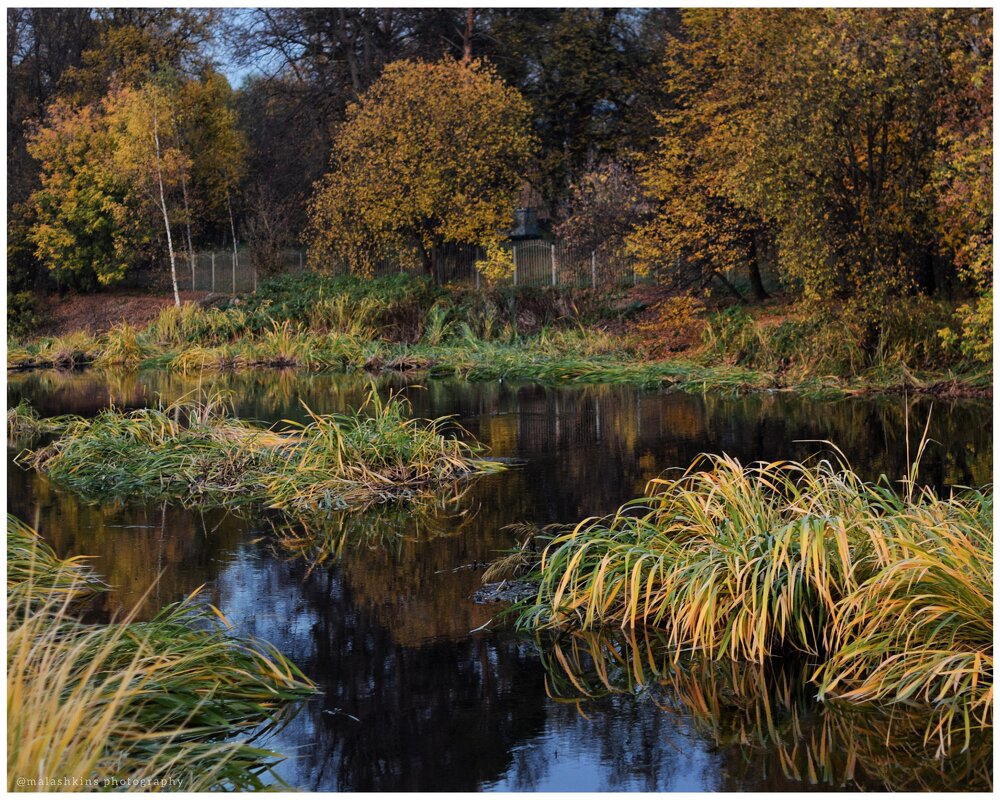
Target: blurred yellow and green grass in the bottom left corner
[129, 701]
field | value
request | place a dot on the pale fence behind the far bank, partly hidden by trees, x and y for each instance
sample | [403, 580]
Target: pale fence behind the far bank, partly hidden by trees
[537, 262]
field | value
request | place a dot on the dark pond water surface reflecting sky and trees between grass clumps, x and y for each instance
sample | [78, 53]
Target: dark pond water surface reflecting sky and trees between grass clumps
[416, 693]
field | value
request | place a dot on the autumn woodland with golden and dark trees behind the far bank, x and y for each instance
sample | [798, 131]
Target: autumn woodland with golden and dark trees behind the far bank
[848, 152]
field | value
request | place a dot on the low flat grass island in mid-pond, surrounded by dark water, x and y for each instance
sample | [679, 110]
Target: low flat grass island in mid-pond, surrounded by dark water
[197, 451]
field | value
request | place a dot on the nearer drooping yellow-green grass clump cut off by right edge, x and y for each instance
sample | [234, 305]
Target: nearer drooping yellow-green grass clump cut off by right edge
[921, 628]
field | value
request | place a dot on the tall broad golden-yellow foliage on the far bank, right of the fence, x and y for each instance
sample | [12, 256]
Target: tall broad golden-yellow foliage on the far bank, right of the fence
[822, 128]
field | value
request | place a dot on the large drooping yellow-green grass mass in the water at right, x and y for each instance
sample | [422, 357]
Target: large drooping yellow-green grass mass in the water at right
[889, 593]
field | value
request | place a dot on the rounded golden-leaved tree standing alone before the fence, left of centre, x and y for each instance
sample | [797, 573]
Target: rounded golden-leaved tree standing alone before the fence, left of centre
[432, 153]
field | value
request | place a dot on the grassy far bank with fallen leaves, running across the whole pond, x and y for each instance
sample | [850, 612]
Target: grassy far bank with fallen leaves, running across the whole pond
[554, 337]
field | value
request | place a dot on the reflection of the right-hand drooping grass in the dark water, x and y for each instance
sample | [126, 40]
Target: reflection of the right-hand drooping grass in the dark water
[763, 719]
